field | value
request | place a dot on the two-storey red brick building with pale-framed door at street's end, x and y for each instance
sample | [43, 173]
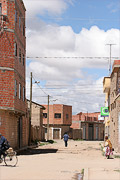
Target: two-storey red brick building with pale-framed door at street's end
[60, 120]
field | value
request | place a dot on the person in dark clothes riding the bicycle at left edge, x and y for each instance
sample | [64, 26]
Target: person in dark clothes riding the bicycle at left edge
[3, 145]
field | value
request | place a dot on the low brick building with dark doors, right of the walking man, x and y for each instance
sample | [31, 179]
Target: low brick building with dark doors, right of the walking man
[93, 128]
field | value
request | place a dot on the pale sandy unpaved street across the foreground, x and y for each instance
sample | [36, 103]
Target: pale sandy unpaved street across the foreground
[64, 164]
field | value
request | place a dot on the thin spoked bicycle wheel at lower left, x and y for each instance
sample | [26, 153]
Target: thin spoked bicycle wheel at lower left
[11, 160]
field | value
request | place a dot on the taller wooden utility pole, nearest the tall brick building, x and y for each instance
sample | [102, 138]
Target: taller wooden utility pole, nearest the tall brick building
[30, 108]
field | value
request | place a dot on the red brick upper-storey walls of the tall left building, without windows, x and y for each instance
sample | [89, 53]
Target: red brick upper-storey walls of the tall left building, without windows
[11, 68]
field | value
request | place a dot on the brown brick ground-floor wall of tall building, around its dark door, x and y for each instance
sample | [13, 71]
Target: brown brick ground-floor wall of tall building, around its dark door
[9, 128]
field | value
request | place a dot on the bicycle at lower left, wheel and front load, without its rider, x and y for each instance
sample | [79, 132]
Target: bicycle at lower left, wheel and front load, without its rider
[9, 158]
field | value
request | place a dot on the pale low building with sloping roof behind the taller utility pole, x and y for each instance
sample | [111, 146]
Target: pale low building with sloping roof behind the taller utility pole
[37, 129]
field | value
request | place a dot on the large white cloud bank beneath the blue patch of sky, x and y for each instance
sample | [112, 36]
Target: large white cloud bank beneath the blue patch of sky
[69, 83]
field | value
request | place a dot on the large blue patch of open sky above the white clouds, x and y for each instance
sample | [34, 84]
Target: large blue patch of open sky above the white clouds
[103, 13]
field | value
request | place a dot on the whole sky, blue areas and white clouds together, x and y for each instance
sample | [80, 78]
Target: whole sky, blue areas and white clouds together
[71, 28]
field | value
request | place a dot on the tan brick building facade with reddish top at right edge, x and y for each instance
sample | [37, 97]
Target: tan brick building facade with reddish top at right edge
[114, 107]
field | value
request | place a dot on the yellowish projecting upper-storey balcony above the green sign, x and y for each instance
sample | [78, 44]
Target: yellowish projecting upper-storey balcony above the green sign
[106, 84]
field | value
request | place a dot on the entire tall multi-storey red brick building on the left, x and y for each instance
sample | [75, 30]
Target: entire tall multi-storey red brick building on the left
[13, 105]
